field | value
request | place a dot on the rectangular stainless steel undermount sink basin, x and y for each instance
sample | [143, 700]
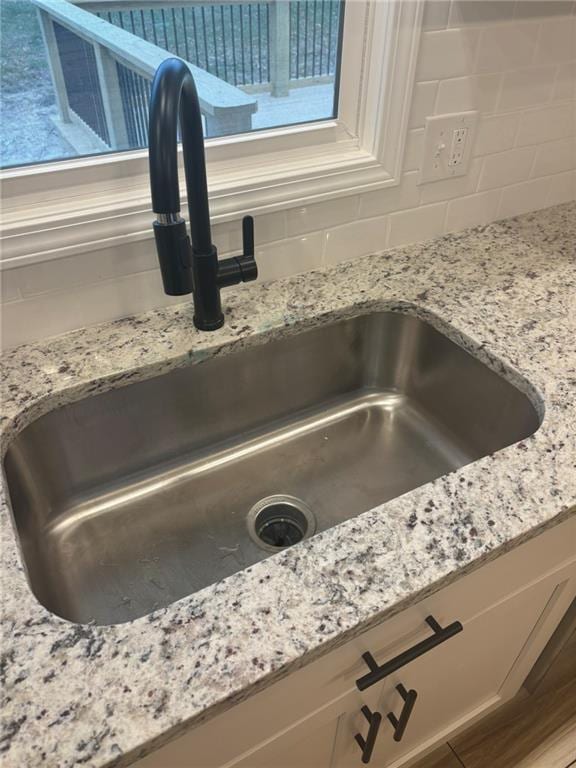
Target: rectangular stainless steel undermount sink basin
[127, 501]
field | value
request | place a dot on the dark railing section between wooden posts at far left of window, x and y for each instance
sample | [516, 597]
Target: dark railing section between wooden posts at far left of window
[80, 71]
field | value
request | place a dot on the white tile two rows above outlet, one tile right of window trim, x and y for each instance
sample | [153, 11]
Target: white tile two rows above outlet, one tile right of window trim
[506, 47]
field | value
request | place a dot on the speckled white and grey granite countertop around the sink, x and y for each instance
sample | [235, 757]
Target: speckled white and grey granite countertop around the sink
[101, 696]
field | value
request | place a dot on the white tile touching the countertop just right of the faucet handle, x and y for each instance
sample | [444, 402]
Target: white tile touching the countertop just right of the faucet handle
[289, 257]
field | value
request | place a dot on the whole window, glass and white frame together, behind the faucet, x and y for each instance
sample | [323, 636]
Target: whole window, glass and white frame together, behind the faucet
[354, 143]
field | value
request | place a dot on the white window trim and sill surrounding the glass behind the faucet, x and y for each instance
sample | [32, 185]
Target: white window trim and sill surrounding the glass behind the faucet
[58, 209]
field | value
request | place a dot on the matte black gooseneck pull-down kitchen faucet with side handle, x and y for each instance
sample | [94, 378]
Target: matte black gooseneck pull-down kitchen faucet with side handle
[188, 267]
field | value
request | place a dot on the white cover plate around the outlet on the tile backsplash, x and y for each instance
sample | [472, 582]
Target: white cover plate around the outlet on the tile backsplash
[438, 137]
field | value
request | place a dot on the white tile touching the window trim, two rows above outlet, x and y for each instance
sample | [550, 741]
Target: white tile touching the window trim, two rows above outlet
[447, 53]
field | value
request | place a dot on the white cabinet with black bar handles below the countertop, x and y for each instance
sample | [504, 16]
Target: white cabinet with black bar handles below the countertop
[508, 610]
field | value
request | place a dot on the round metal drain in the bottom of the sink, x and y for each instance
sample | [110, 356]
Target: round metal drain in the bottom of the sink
[277, 522]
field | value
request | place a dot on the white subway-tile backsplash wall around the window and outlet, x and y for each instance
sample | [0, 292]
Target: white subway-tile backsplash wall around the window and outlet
[514, 61]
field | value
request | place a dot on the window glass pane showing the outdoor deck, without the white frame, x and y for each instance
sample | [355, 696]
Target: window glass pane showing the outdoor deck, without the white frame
[77, 73]
